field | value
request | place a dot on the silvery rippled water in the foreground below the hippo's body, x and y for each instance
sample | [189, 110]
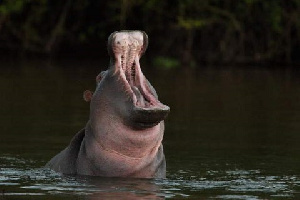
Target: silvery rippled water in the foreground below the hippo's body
[17, 178]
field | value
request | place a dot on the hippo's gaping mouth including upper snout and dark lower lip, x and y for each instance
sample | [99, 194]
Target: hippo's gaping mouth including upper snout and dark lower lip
[127, 48]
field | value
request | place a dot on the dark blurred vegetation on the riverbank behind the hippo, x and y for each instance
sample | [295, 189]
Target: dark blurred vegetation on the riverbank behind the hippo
[180, 31]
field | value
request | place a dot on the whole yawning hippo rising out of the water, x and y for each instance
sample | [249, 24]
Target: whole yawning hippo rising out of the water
[123, 136]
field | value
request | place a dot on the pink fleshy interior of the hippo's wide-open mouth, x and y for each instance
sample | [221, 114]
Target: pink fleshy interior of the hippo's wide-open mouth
[127, 49]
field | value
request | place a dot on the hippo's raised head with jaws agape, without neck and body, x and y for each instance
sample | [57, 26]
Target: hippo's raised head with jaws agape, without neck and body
[123, 94]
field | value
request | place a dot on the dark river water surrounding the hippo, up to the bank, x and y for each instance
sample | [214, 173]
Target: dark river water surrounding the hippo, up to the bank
[231, 134]
